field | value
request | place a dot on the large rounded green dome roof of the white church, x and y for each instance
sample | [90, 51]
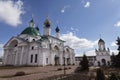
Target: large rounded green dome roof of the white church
[31, 31]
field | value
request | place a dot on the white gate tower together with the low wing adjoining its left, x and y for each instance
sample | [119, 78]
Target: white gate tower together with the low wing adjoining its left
[102, 57]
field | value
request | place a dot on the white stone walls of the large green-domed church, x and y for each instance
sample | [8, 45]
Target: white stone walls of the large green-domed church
[21, 54]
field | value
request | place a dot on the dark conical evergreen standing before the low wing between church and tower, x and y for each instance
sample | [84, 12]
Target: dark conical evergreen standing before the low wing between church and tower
[84, 63]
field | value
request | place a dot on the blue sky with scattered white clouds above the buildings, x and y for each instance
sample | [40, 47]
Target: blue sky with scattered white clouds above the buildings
[81, 22]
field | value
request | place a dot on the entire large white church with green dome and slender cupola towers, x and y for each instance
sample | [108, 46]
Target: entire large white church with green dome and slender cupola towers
[32, 48]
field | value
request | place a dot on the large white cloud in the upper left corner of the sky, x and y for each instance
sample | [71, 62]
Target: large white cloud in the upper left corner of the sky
[10, 12]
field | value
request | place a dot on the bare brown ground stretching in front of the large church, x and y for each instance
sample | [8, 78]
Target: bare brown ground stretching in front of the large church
[34, 73]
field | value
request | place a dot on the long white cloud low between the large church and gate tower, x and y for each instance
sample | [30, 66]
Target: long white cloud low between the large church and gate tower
[76, 42]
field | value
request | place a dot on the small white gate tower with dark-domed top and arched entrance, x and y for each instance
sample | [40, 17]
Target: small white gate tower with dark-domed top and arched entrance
[102, 54]
